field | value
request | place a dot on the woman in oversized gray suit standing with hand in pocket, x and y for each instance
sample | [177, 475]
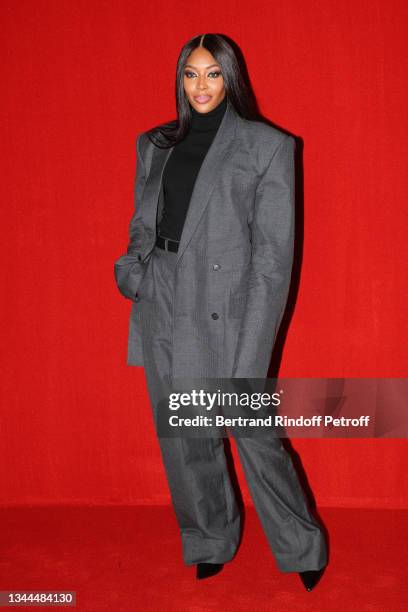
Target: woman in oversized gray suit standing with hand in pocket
[208, 269]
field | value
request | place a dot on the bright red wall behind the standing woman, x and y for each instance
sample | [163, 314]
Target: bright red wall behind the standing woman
[80, 81]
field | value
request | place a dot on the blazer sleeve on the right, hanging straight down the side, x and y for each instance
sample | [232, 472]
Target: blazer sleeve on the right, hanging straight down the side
[272, 236]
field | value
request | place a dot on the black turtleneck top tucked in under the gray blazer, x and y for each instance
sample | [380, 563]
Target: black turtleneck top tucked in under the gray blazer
[182, 168]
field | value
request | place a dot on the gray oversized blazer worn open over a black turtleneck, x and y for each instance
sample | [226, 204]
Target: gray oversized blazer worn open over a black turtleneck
[235, 254]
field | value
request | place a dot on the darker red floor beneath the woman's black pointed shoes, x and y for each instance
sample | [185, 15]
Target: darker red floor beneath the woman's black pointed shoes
[129, 558]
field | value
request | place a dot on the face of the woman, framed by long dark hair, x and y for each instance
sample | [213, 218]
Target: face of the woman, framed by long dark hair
[203, 81]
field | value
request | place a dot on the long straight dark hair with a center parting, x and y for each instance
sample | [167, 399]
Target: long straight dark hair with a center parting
[236, 81]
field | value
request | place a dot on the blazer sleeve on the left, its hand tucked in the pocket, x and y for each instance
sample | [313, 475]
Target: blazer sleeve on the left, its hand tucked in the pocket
[127, 268]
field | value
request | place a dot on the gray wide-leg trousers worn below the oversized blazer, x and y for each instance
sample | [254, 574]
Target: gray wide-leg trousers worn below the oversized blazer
[200, 486]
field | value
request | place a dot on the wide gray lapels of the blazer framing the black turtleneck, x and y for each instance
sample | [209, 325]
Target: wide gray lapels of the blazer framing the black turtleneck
[211, 167]
